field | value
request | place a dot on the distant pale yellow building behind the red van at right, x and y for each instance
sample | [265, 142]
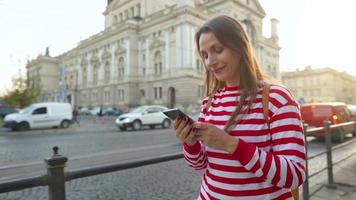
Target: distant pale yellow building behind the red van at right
[321, 85]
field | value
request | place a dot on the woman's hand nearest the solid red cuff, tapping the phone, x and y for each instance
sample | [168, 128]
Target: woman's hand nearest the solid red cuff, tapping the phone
[214, 137]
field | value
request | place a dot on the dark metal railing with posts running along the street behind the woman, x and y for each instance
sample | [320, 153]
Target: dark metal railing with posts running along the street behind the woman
[56, 176]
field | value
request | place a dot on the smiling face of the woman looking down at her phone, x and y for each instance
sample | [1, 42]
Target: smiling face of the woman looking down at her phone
[220, 60]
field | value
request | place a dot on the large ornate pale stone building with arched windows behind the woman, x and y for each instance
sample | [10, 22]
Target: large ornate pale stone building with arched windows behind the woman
[146, 54]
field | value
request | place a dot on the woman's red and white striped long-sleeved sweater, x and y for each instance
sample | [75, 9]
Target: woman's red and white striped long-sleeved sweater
[267, 162]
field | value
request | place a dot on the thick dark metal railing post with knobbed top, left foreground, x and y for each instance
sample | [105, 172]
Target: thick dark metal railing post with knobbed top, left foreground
[55, 172]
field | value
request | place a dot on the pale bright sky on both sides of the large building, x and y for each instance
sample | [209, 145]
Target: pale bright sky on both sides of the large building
[319, 33]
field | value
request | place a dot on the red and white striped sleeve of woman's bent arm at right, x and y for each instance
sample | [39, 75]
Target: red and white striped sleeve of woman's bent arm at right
[284, 164]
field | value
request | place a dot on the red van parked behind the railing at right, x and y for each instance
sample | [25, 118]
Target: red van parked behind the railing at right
[314, 114]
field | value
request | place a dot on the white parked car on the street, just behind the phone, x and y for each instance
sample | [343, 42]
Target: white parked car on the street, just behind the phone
[150, 115]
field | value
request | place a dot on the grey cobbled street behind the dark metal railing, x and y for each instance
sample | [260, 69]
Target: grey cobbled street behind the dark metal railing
[98, 142]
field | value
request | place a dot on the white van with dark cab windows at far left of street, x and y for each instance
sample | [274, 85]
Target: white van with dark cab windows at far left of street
[40, 115]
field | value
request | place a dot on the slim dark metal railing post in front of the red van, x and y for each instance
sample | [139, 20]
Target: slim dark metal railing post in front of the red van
[329, 160]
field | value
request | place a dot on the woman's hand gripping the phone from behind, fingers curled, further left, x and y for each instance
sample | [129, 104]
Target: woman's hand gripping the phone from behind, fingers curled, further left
[183, 128]
